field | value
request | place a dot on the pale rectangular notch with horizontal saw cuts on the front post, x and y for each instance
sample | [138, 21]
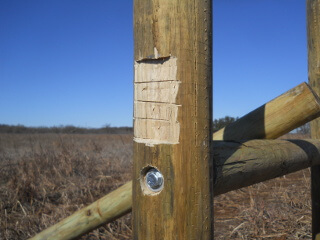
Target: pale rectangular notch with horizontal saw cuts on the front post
[156, 111]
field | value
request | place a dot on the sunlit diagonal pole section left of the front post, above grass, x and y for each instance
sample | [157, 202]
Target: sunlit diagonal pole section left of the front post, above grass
[106, 209]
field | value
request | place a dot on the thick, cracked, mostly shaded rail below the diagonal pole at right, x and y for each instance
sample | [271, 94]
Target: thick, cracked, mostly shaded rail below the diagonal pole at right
[241, 164]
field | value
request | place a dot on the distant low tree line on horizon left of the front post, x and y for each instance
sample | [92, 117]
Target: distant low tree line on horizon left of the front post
[68, 129]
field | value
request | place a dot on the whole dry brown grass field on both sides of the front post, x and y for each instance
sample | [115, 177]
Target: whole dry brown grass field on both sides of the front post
[46, 177]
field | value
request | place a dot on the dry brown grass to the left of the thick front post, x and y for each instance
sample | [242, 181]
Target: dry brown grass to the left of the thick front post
[45, 178]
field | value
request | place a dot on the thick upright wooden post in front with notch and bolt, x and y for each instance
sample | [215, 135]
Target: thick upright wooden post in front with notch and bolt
[172, 119]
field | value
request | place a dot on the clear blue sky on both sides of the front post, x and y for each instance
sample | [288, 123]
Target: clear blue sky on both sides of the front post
[71, 62]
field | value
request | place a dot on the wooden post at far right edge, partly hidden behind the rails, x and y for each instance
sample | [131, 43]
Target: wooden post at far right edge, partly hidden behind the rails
[313, 27]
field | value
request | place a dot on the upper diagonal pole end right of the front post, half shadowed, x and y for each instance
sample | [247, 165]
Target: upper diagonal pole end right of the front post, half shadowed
[275, 118]
